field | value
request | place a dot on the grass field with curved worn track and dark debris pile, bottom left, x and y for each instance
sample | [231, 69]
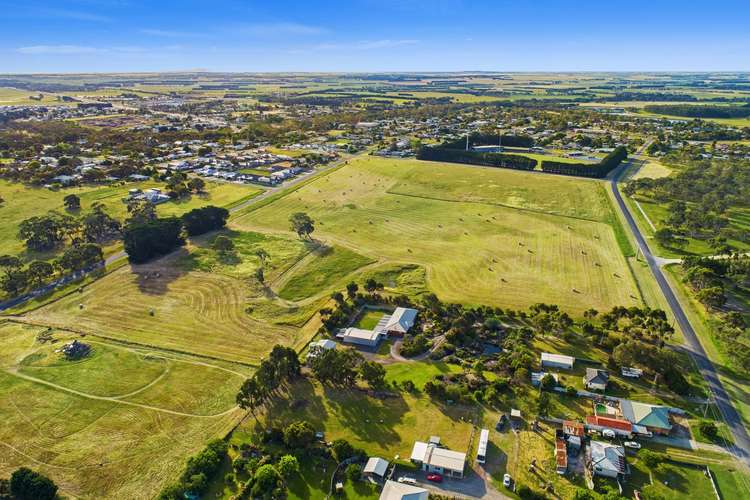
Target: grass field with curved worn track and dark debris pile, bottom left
[117, 424]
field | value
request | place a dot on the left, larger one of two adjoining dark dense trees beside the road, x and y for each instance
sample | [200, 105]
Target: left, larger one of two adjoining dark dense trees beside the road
[152, 239]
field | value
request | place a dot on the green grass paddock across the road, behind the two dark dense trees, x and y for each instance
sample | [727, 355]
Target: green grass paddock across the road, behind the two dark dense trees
[23, 202]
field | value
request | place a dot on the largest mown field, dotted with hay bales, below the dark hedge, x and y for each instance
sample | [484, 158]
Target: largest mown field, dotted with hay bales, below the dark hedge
[484, 235]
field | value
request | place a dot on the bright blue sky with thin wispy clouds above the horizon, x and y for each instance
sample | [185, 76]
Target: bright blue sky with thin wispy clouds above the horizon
[69, 36]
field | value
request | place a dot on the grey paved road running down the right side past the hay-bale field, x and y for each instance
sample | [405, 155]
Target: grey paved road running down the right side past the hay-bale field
[741, 448]
